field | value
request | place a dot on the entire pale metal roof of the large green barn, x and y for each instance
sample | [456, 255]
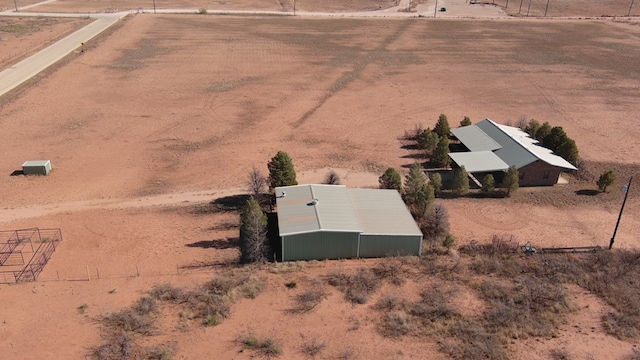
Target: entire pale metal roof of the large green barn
[369, 211]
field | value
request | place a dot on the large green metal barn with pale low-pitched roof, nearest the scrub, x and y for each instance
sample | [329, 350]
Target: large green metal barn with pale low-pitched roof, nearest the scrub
[335, 222]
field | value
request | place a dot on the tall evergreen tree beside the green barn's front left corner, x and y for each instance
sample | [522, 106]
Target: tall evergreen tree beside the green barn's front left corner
[254, 244]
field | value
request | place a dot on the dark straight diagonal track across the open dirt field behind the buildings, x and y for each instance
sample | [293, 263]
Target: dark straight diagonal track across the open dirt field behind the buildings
[349, 76]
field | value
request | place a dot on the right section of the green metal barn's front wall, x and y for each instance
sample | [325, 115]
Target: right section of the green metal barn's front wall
[389, 245]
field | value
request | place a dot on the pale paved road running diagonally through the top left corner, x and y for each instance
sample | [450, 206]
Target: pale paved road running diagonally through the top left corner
[31, 66]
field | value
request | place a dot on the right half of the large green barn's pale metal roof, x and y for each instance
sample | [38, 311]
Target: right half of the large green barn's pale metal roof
[383, 212]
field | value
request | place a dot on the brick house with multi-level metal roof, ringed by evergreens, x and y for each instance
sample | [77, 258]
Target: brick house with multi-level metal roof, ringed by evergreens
[494, 148]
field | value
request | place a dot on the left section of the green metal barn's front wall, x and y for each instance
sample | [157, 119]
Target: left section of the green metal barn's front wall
[319, 246]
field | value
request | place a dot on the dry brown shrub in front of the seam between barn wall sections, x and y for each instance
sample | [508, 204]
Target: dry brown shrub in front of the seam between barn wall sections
[357, 287]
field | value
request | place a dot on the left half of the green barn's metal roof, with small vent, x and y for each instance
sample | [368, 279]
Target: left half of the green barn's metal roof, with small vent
[332, 209]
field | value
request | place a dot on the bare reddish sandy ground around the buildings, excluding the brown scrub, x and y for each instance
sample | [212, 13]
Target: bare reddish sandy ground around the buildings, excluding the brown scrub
[175, 105]
